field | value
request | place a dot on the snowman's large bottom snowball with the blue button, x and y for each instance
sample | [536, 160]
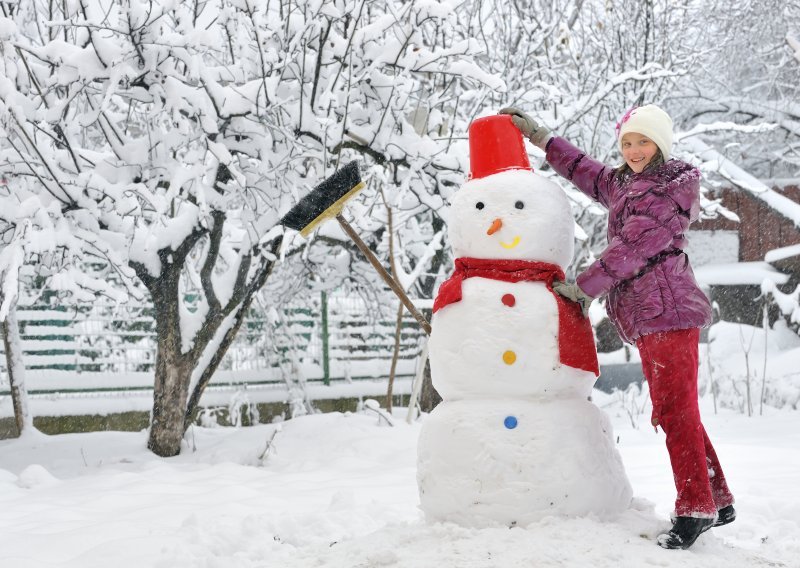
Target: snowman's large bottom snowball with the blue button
[558, 458]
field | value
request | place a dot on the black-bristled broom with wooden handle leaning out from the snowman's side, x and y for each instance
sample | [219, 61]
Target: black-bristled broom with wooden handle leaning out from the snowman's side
[327, 200]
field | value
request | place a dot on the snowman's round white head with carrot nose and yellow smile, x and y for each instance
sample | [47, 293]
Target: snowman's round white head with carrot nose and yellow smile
[515, 214]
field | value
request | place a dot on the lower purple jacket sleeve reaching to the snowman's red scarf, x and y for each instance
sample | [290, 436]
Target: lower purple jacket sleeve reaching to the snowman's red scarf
[651, 227]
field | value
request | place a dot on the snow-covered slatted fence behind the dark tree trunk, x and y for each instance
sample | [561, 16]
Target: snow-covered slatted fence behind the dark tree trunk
[103, 347]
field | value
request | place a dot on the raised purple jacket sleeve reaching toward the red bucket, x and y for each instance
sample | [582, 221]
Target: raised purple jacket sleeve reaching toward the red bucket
[590, 176]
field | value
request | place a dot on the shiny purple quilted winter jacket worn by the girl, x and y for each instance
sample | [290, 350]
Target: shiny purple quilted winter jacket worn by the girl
[644, 271]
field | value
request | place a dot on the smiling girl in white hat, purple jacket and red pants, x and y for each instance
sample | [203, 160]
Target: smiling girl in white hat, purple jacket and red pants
[653, 298]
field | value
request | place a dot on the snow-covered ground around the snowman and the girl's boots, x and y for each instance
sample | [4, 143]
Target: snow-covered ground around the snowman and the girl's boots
[339, 490]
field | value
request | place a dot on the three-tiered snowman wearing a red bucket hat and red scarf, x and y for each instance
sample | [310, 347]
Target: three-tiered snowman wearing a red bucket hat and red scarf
[515, 437]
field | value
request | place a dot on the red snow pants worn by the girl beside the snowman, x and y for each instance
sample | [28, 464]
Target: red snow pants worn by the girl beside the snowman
[669, 362]
